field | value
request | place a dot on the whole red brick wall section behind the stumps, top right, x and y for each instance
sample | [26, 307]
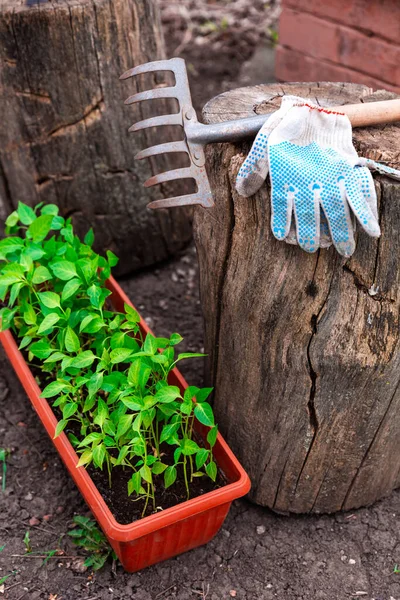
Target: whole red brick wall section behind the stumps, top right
[340, 40]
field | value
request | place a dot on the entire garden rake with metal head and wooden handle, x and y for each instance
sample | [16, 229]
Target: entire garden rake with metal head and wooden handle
[197, 135]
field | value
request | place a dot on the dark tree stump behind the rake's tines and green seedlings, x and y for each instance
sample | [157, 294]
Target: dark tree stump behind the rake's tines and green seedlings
[64, 127]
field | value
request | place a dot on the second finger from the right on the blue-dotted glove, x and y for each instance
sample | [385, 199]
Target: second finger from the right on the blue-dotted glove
[336, 209]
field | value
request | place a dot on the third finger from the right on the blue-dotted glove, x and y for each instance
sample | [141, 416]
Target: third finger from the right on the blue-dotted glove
[307, 216]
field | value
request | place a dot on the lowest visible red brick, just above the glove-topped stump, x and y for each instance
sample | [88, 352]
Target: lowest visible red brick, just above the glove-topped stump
[294, 66]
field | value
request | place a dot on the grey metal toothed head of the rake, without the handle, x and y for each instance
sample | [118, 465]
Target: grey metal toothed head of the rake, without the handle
[186, 118]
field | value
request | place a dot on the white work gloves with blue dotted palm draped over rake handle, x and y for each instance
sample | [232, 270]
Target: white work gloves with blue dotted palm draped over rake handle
[317, 175]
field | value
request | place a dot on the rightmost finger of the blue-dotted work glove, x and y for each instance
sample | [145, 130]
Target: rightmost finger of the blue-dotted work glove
[361, 196]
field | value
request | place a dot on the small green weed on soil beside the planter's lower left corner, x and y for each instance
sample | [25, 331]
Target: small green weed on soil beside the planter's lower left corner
[88, 536]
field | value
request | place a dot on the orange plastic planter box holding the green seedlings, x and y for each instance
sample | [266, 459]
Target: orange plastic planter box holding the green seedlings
[159, 536]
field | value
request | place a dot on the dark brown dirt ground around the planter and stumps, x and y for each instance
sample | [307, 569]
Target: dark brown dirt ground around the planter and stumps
[257, 555]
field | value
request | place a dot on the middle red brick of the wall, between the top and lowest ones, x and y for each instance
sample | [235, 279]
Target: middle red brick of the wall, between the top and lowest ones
[319, 38]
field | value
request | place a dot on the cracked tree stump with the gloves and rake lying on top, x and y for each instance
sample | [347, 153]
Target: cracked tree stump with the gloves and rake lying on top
[304, 350]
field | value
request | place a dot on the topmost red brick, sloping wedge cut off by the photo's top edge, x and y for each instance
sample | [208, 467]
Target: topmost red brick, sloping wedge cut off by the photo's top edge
[381, 17]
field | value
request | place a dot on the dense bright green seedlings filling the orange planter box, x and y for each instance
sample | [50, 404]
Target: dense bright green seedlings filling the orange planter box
[108, 383]
